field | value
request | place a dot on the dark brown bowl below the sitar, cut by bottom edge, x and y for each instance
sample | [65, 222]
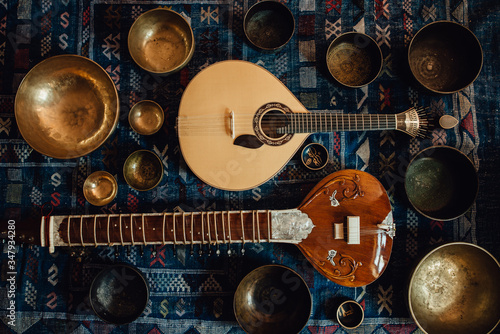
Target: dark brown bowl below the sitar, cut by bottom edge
[272, 299]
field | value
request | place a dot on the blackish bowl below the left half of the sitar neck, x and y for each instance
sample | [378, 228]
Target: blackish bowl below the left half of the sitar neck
[119, 294]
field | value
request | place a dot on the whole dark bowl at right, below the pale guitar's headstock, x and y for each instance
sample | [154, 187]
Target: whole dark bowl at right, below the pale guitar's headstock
[441, 183]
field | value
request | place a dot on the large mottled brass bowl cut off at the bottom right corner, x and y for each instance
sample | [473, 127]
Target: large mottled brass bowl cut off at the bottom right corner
[455, 289]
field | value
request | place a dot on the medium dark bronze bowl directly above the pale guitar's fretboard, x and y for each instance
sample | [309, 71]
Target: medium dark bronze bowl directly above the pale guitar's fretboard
[354, 59]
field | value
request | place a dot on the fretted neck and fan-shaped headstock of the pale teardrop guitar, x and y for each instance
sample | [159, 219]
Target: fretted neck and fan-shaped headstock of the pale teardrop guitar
[412, 122]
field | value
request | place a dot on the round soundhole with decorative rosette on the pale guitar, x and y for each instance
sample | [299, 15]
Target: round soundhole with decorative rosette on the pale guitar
[271, 122]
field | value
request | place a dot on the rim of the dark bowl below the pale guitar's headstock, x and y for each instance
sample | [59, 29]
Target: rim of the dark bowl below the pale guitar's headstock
[460, 153]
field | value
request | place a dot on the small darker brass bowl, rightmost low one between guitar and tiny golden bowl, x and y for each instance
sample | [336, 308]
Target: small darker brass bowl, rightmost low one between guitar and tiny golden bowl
[143, 170]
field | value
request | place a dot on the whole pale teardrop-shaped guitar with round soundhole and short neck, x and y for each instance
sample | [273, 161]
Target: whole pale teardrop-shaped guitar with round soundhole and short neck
[238, 125]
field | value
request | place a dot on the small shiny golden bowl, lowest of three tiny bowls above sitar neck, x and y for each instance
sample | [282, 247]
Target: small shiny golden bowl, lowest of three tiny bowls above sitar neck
[100, 188]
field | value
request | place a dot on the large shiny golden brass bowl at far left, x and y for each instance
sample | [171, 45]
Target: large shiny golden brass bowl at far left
[66, 107]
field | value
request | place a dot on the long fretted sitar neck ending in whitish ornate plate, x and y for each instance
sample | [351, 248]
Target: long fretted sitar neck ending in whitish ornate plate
[218, 227]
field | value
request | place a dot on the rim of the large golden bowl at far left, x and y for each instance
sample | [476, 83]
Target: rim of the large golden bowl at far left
[117, 109]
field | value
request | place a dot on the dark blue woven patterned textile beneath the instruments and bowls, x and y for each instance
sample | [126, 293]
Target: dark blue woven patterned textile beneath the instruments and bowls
[193, 294]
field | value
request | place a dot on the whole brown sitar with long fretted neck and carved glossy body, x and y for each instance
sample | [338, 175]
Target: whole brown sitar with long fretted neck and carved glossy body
[344, 228]
